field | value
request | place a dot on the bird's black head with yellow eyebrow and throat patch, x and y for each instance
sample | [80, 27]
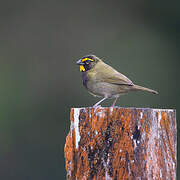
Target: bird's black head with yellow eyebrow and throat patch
[87, 62]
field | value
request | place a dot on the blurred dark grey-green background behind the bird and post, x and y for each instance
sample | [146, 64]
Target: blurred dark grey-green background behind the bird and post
[40, 42]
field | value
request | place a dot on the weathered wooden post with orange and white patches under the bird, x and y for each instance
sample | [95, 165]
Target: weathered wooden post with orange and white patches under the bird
[121, 143]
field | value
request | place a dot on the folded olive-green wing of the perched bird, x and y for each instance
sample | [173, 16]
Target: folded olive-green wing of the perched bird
[108, 74]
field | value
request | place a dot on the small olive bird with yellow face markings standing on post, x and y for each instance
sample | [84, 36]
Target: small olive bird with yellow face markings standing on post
[102, 80]
